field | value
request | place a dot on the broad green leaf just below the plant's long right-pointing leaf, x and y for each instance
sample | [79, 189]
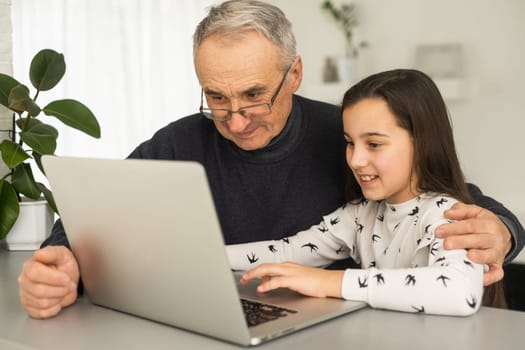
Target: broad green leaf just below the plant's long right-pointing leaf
[42, 138]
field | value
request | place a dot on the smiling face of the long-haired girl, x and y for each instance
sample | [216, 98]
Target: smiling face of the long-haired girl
[379, 152]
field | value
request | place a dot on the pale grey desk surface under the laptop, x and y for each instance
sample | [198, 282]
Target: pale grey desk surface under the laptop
[85, 326]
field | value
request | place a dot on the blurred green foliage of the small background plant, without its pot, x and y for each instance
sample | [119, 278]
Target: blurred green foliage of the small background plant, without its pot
[345, 18]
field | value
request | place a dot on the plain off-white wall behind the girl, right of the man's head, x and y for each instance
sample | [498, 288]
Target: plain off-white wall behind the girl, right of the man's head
[490, 120]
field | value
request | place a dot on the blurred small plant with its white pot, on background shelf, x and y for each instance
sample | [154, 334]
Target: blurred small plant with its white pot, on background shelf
[345, 17]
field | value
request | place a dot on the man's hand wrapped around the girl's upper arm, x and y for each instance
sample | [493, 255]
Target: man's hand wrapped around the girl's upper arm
[482, 233]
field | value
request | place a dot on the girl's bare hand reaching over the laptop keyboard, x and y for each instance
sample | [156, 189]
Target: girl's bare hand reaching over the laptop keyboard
[306, 280]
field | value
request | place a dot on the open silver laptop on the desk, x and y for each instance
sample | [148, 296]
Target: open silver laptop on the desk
[148, 242]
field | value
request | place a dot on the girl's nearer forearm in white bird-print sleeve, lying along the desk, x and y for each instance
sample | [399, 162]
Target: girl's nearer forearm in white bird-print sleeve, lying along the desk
[451, 284]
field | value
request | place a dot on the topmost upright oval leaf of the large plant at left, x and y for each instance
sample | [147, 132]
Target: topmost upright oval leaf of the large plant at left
[47, 68]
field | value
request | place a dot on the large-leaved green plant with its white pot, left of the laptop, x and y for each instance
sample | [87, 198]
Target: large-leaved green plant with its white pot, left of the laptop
[31, 138]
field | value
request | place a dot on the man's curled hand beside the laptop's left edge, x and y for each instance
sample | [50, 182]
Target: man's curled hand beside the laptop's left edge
[49, 281]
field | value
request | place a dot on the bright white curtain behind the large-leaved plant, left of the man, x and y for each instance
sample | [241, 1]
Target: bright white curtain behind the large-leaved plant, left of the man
[129, 61]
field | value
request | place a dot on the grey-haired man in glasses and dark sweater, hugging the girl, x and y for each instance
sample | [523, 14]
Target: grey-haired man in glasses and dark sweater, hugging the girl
[275, 160]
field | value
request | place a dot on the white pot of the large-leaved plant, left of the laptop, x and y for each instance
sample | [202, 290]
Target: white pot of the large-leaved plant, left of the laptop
[32, 227]
